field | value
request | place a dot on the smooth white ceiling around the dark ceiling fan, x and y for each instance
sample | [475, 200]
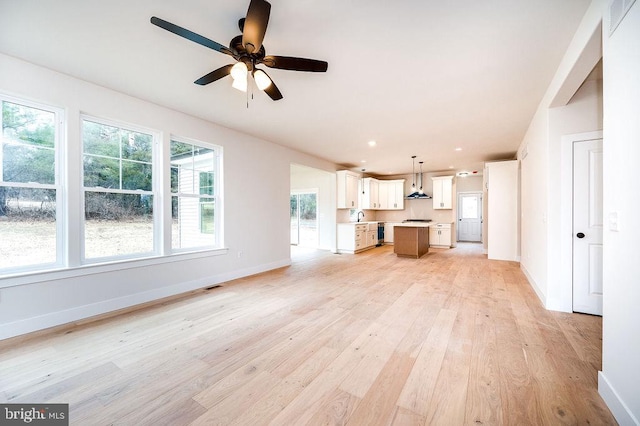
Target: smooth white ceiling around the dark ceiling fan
[419, 77]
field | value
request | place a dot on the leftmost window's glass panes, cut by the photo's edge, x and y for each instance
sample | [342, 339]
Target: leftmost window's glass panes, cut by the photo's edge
[29, 186]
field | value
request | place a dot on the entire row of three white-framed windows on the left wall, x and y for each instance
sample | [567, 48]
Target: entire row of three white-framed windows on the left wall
[138, 197]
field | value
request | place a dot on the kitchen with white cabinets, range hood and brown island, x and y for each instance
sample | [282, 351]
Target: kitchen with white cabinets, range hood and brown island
[412, 212]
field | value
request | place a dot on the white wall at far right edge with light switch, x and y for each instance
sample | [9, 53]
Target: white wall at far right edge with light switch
[619, 382]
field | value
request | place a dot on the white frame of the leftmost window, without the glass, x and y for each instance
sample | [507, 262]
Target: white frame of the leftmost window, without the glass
[59, 184]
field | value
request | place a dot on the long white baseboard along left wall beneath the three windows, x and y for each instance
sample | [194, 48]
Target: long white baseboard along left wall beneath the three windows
[53, 319]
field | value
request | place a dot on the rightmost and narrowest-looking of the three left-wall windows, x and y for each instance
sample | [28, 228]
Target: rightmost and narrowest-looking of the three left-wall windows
[194, 190]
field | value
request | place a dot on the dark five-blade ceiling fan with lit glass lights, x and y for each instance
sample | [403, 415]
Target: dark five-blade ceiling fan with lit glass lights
[247, 49]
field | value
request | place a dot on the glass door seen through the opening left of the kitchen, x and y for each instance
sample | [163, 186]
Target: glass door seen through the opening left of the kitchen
[304, 218]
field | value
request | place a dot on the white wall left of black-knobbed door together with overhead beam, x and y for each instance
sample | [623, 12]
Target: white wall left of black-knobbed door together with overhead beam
[541, 162]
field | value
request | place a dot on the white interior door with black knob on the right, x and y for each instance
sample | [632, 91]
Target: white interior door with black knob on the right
[587, 227]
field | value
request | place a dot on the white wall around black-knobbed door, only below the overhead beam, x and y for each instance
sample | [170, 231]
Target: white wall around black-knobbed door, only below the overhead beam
[542, 186]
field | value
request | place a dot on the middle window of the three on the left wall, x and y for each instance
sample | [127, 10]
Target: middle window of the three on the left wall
[118, 190]
